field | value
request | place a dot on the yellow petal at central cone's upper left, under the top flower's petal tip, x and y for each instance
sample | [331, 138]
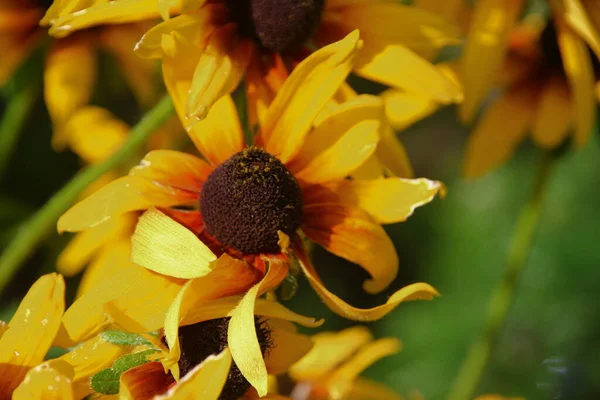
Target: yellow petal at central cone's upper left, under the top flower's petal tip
[219, 135]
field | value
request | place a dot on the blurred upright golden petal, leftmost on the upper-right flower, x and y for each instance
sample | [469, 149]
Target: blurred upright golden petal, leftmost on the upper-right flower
[485, 50]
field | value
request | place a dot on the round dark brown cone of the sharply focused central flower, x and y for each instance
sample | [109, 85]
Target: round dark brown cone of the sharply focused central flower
[249, 198]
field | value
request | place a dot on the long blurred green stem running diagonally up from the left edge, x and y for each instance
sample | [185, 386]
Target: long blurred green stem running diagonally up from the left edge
[42, 223]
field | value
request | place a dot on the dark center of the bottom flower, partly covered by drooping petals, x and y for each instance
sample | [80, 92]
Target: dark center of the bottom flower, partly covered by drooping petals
[198, 341]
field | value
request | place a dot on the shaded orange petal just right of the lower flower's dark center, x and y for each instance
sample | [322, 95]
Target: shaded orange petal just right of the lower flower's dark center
[289, 346]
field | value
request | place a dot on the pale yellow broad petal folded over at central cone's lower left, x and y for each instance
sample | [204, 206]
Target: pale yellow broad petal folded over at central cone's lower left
[164, 246]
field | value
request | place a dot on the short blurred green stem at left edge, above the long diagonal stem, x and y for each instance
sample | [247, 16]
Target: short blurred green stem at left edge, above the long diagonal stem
[12, 123]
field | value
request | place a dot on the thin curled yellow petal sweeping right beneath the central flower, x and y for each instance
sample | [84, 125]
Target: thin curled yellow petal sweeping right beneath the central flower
[416, 291]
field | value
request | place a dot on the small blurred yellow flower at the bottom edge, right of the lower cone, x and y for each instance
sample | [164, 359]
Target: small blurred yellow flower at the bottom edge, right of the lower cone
[331, 369]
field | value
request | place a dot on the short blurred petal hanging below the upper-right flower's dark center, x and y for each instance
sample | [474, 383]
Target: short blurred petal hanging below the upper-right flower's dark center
[554, 114]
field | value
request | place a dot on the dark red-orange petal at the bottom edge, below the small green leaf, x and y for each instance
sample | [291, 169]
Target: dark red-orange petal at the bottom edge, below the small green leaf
[144, 382]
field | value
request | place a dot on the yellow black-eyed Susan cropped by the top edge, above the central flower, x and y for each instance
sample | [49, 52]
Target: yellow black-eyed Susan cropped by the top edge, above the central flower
[208, 46]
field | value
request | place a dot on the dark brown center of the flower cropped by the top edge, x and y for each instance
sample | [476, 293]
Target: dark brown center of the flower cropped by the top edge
[277, 25]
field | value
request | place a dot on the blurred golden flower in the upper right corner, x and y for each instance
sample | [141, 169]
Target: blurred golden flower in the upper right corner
[546, 72]
